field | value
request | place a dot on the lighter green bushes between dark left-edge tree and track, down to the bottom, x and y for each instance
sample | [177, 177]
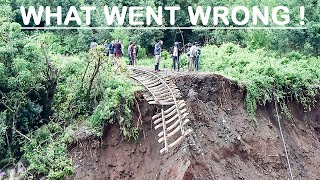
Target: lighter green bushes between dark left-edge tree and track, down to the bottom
[109, 101]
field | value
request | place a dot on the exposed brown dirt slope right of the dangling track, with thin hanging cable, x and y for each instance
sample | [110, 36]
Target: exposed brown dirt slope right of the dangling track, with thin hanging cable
[234, 147]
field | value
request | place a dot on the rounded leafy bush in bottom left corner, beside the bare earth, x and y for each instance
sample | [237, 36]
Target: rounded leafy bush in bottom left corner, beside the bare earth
[46, 153]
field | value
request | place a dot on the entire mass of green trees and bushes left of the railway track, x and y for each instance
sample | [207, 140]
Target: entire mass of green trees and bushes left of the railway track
[45, 98]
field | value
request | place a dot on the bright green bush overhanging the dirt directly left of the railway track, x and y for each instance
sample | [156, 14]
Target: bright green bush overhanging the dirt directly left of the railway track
[116, 105]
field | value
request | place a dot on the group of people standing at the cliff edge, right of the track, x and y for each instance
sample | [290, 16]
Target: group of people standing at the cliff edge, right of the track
[193, 54]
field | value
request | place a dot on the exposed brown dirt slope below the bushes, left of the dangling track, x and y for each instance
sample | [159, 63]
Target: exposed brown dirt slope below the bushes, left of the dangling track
[115, 158]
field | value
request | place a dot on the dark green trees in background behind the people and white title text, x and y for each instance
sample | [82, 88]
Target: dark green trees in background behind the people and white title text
[280, 40]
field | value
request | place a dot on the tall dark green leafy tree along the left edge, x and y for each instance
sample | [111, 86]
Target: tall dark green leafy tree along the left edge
[23, 90]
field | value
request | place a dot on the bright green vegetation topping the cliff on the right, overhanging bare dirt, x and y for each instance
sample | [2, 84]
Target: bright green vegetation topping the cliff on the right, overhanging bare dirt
[266, 76]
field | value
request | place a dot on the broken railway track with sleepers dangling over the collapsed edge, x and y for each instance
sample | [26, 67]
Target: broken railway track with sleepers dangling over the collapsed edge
[172, 118]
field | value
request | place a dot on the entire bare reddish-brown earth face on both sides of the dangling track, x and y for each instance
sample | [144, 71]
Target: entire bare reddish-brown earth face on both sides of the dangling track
[226, 144]
